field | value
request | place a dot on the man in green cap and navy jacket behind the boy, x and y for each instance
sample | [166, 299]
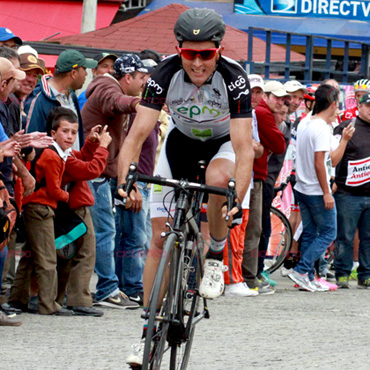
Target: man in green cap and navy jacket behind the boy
[69, 76]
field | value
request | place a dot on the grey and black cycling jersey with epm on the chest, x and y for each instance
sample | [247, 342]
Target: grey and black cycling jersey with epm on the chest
[201, 113]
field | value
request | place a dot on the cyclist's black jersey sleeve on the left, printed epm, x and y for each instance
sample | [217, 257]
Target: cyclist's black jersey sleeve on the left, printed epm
[156, 88]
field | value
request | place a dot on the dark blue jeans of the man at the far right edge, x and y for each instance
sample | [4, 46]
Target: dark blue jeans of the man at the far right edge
[353, 212]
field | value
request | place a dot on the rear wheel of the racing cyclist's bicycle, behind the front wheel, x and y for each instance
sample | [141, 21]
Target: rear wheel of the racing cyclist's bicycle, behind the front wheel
[180, 351]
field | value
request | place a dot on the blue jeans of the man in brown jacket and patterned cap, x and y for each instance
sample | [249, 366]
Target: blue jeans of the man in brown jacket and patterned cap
[105, 230]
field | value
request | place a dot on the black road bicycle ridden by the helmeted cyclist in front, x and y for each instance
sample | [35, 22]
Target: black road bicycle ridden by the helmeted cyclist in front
[175, 306]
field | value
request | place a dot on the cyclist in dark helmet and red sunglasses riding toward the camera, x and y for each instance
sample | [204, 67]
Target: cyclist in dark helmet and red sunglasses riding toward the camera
[208, 96]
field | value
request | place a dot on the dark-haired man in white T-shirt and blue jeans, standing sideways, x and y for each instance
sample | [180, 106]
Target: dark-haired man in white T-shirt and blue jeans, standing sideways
[313, 190]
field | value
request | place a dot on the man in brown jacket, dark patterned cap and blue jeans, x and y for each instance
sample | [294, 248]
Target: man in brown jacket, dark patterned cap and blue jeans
[110, 101]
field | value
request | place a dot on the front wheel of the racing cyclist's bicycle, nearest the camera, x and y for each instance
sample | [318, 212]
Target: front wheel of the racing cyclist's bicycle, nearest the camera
[156, 336]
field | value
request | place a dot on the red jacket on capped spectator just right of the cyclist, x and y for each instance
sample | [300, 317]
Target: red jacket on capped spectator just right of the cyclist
[272, 139]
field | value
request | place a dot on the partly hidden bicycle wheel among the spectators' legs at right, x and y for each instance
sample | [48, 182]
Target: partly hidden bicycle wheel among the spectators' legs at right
[280, 240]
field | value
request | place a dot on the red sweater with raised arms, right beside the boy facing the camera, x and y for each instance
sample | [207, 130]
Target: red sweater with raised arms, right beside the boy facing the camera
[87, 164]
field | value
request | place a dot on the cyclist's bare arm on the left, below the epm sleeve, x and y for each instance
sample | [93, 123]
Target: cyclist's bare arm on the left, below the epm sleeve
[144, 123]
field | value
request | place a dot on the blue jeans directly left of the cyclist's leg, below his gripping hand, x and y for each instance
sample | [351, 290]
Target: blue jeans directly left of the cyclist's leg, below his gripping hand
[131, 240]
